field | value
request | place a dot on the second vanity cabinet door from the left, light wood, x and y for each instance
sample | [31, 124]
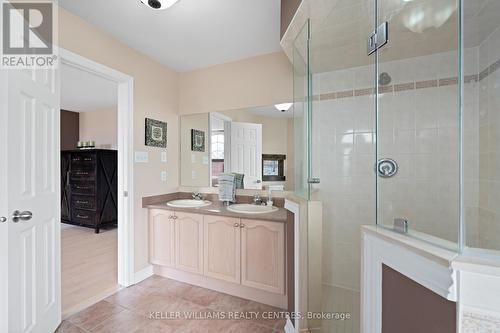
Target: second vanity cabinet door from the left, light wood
[189, 242]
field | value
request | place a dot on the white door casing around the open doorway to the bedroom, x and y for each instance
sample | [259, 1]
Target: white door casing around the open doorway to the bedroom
[125, 84]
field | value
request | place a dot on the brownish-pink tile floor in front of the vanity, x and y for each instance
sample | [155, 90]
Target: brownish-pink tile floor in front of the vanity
[130, 311]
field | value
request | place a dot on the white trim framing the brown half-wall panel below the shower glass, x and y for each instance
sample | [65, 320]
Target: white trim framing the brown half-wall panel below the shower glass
[424, 263]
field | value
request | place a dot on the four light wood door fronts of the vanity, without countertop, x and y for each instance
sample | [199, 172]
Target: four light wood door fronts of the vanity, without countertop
[245, 252]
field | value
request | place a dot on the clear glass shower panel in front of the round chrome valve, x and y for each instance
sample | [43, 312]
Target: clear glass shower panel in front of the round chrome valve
[418, 127]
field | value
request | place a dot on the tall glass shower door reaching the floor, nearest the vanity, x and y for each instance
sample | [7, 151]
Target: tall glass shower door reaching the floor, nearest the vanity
[342, 155]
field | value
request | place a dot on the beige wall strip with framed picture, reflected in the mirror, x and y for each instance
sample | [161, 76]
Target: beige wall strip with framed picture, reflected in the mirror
[195, 167]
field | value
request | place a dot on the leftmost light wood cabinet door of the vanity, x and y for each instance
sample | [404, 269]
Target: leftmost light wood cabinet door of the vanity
[161, 237]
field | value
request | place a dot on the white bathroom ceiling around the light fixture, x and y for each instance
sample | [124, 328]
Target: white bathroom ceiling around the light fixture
[192, 34]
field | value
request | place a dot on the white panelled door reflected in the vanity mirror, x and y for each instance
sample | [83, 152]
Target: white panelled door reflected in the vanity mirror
[246, 153]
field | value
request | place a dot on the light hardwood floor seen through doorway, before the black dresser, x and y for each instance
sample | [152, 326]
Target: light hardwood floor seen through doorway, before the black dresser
[89, 266]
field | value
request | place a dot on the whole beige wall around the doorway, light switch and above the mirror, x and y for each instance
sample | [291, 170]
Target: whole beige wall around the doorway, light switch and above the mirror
[162, 94]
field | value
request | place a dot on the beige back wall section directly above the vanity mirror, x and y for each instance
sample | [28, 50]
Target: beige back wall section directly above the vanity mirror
[257, 81]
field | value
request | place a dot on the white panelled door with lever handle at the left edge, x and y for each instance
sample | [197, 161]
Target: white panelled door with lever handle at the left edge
[31, 175]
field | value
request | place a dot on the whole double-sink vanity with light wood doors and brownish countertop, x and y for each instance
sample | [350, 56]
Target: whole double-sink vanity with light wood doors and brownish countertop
[243, 249]
